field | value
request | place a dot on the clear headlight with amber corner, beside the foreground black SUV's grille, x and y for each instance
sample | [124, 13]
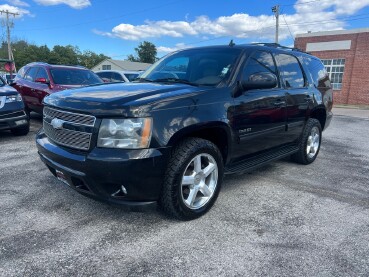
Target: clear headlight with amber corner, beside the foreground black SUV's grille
[132, 133]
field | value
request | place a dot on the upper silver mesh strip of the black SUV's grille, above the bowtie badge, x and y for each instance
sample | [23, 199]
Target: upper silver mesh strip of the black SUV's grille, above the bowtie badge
[75, 118]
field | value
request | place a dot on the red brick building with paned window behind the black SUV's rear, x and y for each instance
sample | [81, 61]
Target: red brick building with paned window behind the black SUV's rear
[345, 55]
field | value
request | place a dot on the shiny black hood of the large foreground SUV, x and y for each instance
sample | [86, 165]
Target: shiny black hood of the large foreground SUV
[114, 99]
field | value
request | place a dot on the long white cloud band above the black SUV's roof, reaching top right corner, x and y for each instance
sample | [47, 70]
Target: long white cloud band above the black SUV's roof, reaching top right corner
[307, 17]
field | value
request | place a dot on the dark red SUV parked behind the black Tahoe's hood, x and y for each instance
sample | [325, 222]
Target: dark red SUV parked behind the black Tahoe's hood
[37, 80]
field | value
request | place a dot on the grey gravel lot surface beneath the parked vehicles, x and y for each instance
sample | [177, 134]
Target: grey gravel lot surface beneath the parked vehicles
[282, 220]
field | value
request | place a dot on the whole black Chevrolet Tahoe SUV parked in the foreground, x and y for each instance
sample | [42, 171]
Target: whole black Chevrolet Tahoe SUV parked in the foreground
[192, 117]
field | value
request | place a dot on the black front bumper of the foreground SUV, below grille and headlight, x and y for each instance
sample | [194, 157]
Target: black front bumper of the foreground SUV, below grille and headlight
[101, 173]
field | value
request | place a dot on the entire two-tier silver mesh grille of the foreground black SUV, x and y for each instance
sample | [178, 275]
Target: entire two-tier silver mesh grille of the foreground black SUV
[67, 137]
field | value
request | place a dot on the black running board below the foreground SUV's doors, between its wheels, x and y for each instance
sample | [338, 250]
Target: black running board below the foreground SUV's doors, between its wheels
[260, 160]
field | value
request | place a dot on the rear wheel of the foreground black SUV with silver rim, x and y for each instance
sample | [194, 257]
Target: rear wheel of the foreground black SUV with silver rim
[310, 143]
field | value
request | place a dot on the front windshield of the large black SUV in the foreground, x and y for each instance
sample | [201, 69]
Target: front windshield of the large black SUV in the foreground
[204, 66]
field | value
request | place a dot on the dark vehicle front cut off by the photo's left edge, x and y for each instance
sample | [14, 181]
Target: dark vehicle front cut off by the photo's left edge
[12, 114]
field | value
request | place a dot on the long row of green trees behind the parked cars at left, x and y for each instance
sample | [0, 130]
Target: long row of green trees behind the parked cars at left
[25, 52]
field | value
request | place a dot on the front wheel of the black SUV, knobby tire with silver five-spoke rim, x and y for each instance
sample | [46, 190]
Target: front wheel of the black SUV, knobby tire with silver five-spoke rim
[192, 180]
